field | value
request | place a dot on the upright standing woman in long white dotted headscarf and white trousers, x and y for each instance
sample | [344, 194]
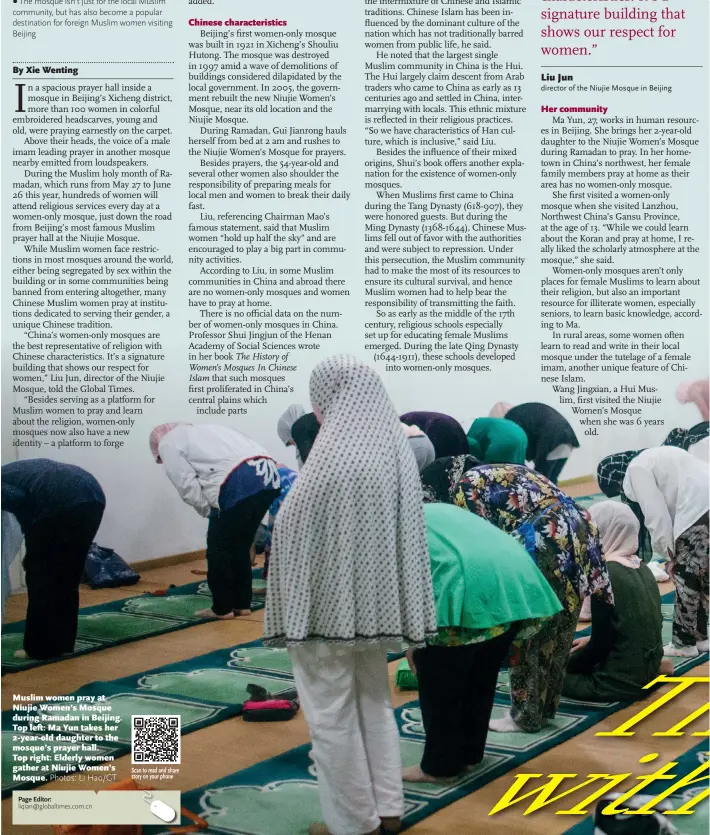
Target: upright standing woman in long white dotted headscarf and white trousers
[349, 580]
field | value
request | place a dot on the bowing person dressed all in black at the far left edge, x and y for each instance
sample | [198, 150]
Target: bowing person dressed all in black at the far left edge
[59, 508]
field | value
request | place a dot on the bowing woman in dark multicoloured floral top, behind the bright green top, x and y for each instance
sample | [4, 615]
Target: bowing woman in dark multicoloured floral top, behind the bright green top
[564, 543]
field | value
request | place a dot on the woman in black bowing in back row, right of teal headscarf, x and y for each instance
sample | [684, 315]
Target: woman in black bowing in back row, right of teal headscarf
[551, 439]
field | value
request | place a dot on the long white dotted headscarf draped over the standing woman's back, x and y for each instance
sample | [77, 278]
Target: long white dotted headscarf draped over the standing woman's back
[350, 562]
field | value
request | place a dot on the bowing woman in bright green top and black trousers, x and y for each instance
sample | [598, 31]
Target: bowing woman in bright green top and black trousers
[488, 593]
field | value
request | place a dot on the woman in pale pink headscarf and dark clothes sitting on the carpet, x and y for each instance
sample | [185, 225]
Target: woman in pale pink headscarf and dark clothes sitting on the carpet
[625, 650]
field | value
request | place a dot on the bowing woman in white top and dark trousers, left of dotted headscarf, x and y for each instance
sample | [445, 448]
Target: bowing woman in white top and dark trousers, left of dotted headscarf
[230, 479]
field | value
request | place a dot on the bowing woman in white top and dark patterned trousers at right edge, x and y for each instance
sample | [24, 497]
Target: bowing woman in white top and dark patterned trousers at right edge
[670, 488]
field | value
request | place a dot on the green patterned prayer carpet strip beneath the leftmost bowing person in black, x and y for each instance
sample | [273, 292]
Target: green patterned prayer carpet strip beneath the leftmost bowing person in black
[123, 621]
